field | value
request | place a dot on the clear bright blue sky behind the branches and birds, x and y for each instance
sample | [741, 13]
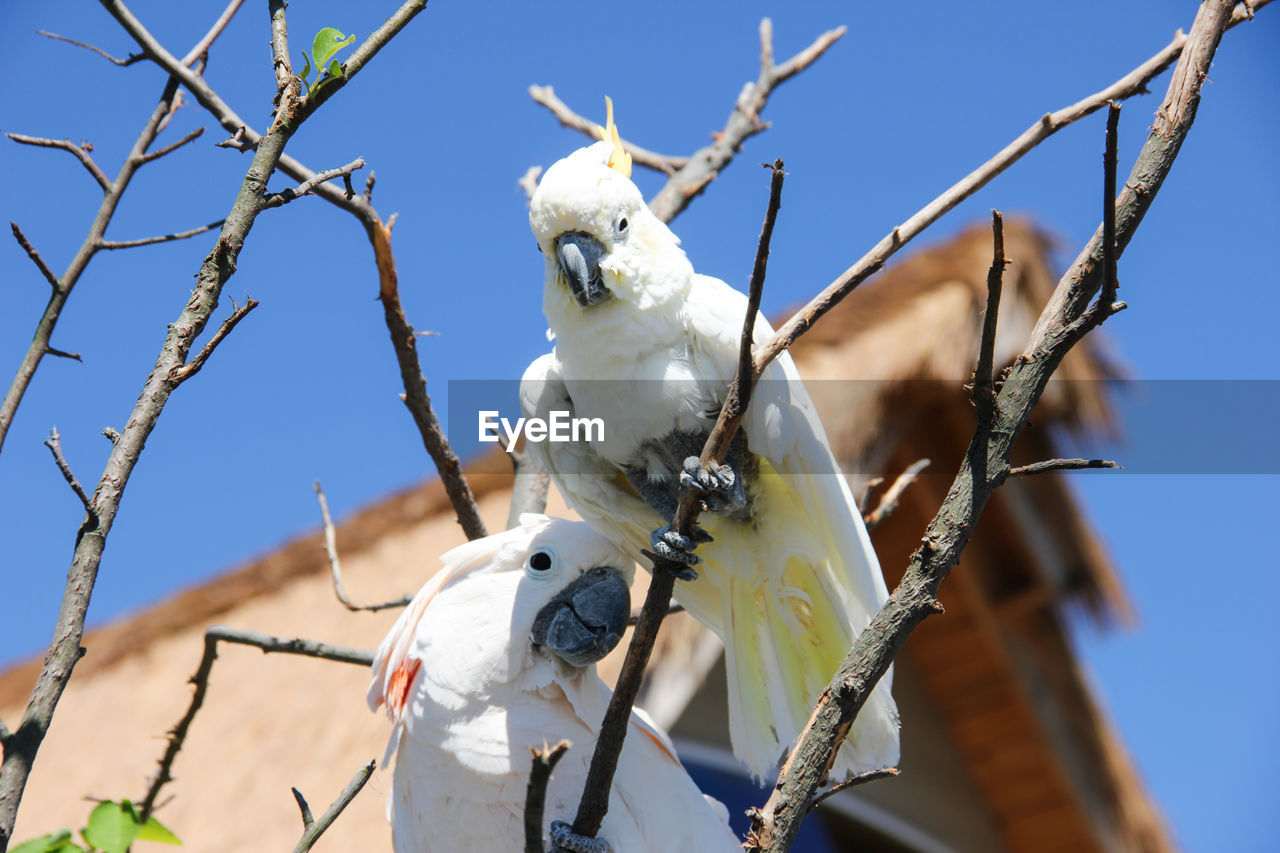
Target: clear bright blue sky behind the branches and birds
[911, 101]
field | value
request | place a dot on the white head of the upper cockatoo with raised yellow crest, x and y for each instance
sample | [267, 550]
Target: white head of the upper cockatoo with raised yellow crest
[600, 239]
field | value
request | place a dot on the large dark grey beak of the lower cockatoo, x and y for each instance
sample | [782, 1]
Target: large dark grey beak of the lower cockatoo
[587, 621]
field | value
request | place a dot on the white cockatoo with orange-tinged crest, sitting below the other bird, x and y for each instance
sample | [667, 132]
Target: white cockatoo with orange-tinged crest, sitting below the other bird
[496, 656]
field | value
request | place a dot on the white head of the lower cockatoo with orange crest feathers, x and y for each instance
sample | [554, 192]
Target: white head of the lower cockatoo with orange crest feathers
[548, 591]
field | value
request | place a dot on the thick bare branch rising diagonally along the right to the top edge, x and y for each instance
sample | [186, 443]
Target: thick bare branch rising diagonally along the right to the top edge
[986, 463]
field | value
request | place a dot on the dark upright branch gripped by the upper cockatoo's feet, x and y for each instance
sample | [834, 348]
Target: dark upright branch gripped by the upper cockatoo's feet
[605, 761]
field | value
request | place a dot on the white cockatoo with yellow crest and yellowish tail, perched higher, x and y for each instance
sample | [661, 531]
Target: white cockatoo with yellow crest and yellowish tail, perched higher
[650, 346]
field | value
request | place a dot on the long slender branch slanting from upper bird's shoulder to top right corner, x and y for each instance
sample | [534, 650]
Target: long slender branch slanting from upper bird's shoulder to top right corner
[1132, 84]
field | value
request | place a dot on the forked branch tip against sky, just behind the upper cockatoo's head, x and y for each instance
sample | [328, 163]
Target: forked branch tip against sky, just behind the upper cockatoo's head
[744, 122]
